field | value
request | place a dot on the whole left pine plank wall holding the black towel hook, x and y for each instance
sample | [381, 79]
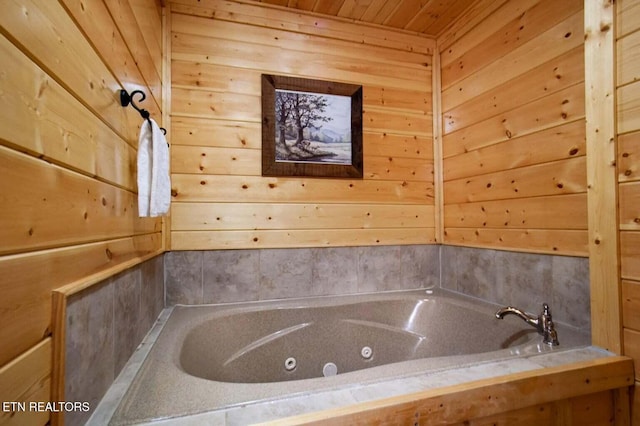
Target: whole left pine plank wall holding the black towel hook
[67, 165]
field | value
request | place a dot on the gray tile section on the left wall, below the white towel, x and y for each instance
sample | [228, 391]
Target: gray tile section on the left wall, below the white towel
[105, 324]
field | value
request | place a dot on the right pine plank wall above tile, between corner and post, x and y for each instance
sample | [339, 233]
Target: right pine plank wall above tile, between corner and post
[514, 164]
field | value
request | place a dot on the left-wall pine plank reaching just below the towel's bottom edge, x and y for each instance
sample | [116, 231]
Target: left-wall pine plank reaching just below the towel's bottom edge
[63, 207]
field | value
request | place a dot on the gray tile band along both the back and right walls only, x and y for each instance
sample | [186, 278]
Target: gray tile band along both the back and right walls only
[524, 280]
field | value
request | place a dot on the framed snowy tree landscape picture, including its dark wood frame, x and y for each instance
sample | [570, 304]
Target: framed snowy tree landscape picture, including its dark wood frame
[311, 128]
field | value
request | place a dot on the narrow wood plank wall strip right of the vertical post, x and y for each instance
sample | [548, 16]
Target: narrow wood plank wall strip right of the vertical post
[628, 137]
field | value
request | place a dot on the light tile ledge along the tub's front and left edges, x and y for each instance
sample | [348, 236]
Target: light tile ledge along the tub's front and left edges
[280, 407]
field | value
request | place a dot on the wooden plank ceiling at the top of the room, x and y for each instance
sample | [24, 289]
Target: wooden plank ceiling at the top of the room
[424, 16]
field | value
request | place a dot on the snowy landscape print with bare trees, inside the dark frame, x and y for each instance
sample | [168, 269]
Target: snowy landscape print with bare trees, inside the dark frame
[312, 128]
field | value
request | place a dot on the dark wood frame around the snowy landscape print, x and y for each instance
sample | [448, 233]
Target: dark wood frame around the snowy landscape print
[274, 166]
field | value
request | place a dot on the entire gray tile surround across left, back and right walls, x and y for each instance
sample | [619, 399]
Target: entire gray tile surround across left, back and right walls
[106, 322]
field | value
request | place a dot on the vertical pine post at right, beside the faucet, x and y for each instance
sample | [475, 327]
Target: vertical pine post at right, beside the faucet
[604, 271]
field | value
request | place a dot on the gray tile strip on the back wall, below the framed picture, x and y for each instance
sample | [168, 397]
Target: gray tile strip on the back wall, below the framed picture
[195, 277]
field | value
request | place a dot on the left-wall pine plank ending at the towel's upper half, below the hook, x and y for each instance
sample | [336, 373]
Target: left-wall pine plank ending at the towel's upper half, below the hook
[61, 129]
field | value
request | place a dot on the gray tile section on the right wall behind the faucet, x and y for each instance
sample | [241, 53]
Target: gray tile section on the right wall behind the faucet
[522, 280]
